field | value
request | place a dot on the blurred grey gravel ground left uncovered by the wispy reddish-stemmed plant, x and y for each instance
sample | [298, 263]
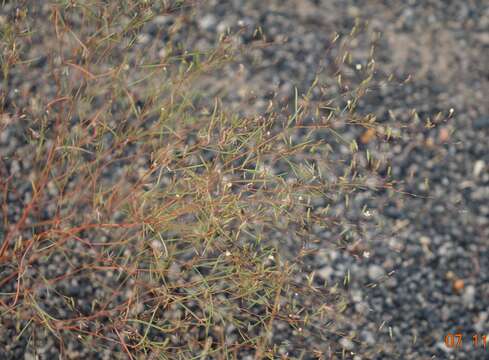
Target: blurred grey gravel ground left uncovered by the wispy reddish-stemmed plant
[426, 273]
